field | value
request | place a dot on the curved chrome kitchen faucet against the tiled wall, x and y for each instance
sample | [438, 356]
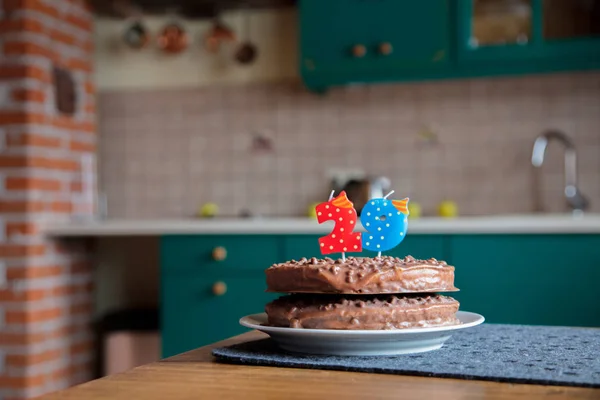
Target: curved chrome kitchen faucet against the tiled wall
[576, 201]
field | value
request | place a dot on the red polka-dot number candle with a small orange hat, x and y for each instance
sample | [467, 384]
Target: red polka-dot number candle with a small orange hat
[342, 238]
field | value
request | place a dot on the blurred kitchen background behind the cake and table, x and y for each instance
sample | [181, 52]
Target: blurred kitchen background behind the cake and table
[157, 155]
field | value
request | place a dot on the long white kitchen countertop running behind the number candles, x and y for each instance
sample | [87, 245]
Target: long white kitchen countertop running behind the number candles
[551, 223]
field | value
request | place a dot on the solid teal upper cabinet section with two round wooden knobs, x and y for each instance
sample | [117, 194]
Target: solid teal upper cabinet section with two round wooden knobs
[357, 41]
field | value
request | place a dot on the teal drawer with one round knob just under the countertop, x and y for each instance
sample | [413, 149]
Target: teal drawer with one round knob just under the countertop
[218, 253]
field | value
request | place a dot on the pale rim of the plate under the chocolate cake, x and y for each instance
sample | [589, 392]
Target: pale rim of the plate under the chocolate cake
[244, 321]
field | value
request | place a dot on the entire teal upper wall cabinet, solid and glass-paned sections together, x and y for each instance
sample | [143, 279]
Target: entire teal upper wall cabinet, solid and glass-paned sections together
[367, 41]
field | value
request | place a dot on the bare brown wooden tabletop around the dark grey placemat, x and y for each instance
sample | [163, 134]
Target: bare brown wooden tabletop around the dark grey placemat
[194, 375]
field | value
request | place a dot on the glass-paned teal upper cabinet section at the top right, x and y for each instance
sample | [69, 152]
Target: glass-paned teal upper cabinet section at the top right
[528, 35]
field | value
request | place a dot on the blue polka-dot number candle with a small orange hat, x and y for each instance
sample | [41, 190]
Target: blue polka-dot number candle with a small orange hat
[385, 222]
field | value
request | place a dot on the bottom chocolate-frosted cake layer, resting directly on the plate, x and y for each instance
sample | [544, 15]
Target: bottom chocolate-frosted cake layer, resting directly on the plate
[362, 312]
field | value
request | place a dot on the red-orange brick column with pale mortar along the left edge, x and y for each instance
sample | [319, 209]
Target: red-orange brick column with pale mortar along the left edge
[45, 287]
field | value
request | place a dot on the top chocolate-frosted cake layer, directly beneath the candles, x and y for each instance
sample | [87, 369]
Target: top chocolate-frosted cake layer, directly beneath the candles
[361, 275]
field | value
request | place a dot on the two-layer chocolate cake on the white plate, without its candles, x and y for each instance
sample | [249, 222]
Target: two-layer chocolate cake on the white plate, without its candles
[362, 293]
